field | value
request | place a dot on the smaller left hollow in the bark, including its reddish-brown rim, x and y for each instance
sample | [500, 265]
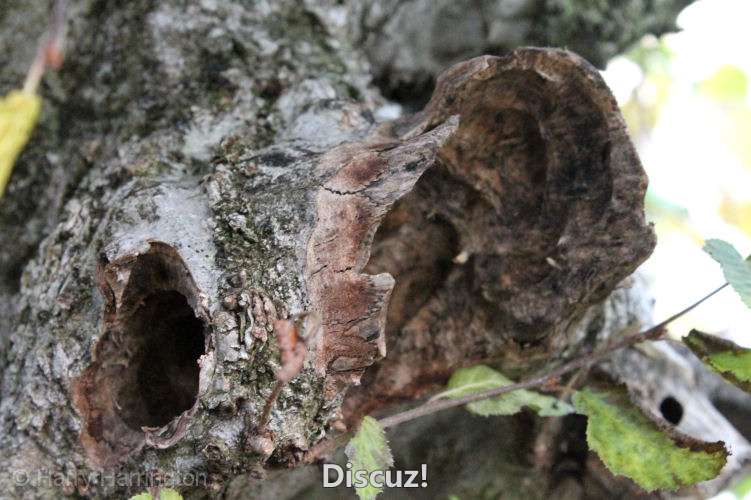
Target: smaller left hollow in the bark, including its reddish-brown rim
[145, 372]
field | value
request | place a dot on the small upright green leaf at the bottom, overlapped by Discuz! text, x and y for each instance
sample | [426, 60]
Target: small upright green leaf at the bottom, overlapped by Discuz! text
[369, 451]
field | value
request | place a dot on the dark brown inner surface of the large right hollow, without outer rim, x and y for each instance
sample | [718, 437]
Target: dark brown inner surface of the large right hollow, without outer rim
[483, 249]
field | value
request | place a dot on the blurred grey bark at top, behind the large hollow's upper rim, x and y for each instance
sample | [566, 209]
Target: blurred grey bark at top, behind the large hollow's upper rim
[408, 54]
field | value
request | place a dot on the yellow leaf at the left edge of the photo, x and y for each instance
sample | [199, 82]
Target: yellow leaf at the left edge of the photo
[19, 112]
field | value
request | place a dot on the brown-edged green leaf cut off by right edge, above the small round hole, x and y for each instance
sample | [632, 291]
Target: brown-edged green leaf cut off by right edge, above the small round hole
[730, 360]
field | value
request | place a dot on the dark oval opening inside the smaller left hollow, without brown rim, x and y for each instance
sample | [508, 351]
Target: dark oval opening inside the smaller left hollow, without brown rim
[163, 338]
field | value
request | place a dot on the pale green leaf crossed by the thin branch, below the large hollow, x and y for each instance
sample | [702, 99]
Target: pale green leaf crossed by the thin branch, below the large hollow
[481, 378]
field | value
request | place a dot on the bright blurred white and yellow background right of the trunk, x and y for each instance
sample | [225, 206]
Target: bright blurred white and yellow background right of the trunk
[687, 103]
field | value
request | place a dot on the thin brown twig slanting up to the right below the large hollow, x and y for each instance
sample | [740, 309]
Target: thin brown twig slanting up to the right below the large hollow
[587, 360]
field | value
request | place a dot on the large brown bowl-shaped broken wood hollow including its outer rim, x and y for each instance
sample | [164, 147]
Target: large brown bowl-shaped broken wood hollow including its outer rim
[539, 194]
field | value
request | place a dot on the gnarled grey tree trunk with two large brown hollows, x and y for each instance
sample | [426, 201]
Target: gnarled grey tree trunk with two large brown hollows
[206, 176]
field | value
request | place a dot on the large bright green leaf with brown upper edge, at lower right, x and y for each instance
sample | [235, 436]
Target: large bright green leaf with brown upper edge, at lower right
[632, 445]
